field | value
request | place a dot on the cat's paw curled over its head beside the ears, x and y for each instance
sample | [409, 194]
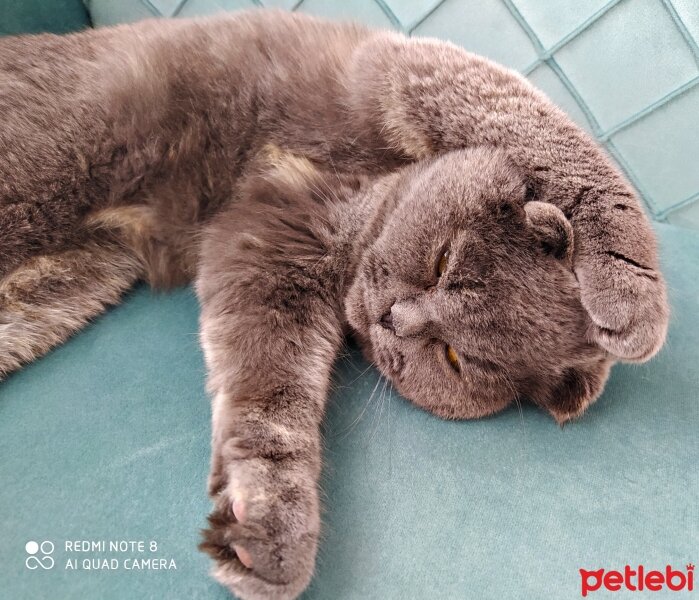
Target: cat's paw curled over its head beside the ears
[627, 303]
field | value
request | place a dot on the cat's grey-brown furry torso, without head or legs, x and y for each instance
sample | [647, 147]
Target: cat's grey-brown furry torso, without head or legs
[166, 115]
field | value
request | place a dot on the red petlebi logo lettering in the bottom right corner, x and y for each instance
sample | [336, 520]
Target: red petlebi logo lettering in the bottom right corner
[639, 579]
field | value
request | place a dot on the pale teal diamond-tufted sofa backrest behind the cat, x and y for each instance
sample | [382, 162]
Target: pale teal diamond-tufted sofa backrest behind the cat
[627, 71]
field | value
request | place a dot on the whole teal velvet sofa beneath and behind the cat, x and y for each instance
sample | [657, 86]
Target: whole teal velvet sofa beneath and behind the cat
[107, 438]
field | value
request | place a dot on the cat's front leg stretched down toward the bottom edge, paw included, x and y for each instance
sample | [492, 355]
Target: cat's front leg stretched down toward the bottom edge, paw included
[270, 330]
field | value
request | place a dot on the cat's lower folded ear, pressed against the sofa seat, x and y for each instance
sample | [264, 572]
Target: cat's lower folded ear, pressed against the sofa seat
[575, 389]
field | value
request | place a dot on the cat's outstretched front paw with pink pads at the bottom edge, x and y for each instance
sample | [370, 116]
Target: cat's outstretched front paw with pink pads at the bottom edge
[264, 528]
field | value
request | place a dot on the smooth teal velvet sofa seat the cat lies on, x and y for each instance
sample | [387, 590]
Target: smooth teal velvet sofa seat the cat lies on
[107, 438]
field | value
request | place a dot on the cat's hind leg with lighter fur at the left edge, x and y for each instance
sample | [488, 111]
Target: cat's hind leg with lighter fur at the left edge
[48, 298]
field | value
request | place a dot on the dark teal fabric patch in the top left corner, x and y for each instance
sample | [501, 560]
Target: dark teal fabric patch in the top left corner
[37, 16]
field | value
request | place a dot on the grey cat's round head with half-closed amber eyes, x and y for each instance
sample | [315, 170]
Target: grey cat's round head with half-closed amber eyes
[465, 298]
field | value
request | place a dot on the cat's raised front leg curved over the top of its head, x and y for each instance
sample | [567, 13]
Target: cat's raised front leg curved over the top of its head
[424, 97]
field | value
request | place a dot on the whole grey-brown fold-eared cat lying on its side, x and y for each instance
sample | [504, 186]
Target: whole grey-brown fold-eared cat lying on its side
[314, 179]
